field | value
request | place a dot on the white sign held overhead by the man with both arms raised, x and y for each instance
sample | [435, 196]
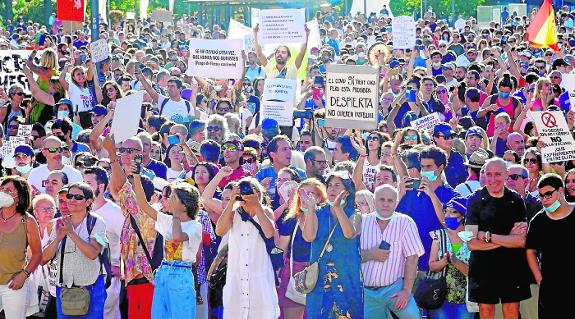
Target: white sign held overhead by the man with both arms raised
[282, 26]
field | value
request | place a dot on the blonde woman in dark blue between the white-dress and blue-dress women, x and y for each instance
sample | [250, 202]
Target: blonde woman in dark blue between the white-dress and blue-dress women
[292, 242]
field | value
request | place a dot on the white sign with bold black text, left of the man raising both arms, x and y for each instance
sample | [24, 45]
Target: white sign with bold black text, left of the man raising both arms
[220, 59]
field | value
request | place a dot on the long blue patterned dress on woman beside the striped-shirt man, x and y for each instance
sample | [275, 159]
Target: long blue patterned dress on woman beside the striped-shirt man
[339, 290]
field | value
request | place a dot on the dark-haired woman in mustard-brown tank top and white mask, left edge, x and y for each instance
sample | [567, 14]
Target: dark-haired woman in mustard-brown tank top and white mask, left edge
[18, 233]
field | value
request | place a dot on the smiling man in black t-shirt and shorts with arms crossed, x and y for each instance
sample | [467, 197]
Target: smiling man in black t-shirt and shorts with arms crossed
[496, 220]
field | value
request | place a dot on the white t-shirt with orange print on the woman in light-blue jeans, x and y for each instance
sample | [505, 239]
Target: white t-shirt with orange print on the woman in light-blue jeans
[192, 228]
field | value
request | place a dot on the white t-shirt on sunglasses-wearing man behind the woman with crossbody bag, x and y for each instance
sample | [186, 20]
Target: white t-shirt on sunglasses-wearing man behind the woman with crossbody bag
[114, 220]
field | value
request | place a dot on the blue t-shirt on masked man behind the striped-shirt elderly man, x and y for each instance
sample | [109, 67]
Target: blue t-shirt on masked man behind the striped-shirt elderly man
[418, 205]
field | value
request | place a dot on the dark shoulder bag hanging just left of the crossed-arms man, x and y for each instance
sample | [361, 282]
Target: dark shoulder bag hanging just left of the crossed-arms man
[432, 290]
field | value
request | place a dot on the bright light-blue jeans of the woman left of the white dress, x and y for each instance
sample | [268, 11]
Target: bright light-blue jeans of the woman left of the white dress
[174, 294]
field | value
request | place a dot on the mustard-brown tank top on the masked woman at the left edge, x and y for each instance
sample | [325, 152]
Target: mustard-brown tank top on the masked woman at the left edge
[12, 252]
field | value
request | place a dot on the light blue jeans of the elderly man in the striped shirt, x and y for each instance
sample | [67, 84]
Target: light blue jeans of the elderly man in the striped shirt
[378, 304]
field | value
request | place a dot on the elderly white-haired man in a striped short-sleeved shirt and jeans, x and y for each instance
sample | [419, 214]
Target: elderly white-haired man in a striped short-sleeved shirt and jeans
[388, 276]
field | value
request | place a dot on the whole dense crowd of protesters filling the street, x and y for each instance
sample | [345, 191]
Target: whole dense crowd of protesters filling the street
[212, 211]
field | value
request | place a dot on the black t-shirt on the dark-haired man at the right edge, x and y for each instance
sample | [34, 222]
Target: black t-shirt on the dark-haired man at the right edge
[554, 238]
